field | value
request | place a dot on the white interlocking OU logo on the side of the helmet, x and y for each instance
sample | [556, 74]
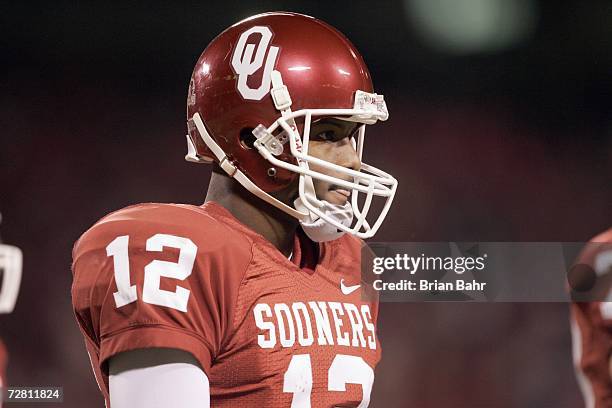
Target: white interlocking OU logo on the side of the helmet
[245, 64]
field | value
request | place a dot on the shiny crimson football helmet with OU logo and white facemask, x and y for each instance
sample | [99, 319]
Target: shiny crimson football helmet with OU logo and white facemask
[252, 97]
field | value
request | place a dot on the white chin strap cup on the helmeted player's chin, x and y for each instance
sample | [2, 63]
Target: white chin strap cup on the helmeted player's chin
[320, 230]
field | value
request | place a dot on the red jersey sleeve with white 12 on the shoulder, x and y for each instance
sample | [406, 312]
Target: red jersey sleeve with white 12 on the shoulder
[157, 277]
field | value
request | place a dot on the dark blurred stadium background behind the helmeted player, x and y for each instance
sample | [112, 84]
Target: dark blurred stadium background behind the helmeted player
[500, 130]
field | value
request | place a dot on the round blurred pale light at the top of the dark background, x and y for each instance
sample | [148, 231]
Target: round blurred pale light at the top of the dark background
[464, 27]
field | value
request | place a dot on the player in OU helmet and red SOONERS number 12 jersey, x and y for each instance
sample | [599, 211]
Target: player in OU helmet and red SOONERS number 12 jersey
[255, 298]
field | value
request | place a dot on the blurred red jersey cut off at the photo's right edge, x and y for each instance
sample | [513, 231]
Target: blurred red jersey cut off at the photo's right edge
[592, 330]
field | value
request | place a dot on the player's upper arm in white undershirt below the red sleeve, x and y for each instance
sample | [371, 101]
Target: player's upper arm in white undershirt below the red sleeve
[157, 378]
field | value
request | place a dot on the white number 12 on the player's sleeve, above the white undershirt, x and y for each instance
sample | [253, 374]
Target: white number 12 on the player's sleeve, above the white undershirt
[154, 271]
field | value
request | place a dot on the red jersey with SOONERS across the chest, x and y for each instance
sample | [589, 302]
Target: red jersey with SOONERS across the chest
[266, 330]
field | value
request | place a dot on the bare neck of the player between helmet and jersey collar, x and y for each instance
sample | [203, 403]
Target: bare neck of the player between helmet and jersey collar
[273, 224]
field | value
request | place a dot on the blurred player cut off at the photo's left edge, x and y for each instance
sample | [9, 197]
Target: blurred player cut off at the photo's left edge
[10, 274]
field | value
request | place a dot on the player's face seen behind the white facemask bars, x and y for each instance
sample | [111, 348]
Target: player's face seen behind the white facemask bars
[330, 140]
